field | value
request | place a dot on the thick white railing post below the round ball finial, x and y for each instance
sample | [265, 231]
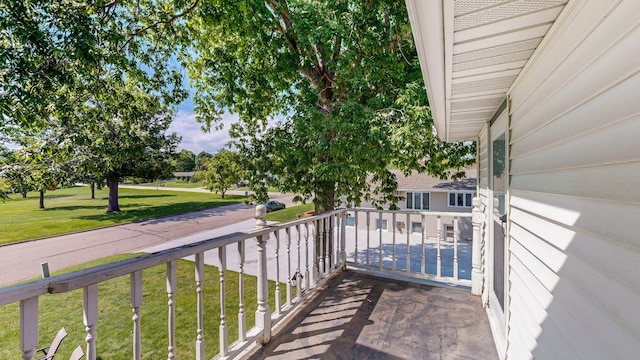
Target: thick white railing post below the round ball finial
[263, 314]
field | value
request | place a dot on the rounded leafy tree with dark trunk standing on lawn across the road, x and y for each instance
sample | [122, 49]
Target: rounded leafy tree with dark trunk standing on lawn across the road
[126, 134]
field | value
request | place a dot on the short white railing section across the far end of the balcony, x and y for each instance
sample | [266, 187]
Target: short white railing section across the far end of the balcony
[425, 245]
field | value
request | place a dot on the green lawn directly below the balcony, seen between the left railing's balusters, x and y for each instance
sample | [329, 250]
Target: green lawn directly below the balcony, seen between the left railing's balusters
[114, 329]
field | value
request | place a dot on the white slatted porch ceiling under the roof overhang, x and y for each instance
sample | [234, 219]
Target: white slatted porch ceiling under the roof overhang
[472, 51]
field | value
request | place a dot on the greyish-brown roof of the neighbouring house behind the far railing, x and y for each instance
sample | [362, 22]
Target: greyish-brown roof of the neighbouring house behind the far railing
[422, 181]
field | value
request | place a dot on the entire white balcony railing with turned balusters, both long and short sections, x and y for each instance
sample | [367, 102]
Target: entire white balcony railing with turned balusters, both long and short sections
[302, 255]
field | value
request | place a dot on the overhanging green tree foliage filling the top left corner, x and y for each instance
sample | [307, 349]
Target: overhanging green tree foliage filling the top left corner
[55, 53]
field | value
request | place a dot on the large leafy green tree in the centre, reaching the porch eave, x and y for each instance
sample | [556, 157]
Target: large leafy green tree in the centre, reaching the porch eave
[342, 77]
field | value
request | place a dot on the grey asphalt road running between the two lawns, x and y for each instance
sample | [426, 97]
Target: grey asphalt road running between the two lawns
[19, 262]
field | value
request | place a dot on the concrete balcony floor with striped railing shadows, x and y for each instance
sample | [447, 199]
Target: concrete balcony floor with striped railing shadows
[360, 316]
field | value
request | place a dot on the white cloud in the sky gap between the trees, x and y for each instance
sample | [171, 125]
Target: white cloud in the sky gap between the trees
[194, 139]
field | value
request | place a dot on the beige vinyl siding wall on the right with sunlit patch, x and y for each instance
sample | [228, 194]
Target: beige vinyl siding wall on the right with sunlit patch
[575, 189]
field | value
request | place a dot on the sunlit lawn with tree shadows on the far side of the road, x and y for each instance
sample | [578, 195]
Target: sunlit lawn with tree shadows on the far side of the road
[71, 209]
